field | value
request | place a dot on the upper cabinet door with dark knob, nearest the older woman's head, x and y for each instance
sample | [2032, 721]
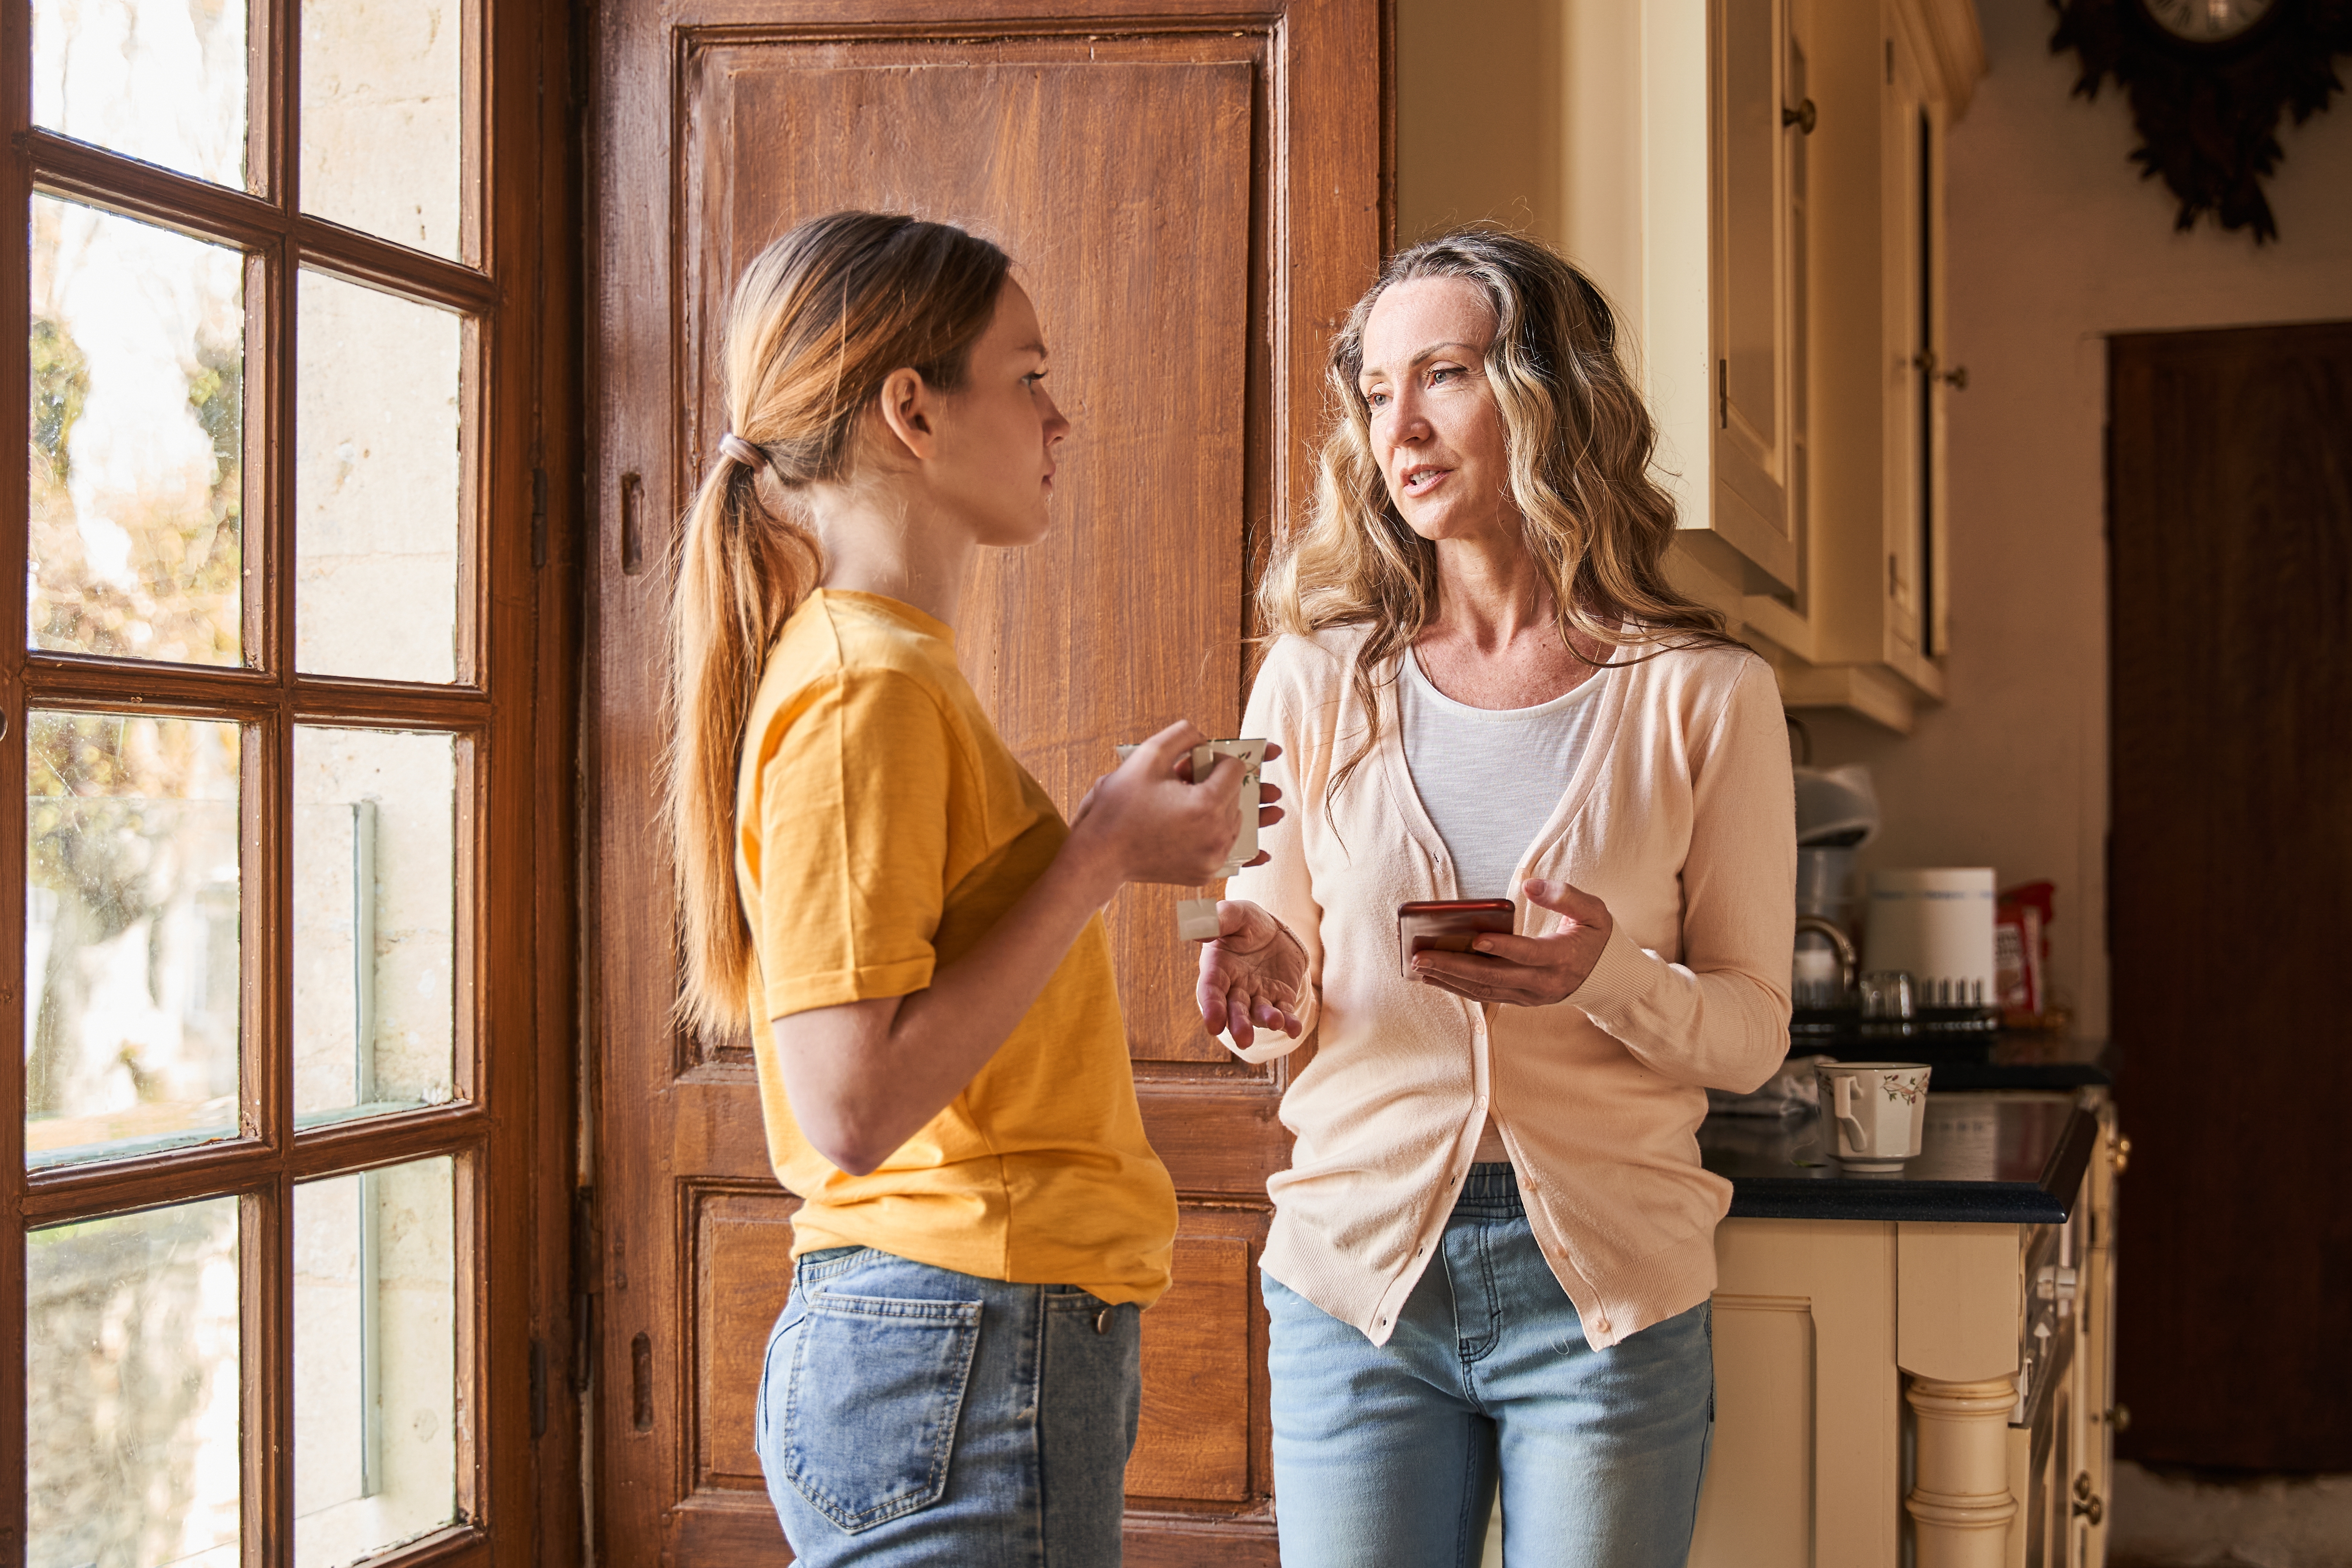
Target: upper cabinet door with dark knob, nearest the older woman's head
[1751, 321]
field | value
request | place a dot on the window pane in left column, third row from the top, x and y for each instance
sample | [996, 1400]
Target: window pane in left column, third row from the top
[131, 937]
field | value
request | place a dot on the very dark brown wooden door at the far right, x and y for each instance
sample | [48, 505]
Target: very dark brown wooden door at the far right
[2231, 904]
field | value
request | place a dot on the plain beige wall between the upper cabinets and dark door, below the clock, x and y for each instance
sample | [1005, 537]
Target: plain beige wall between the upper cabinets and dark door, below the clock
[2054, 243]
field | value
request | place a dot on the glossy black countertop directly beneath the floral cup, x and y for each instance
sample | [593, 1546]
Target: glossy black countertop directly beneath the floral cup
[2003, 1146]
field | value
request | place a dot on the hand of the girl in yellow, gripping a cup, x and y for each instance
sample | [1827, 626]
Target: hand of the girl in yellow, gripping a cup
[1156, 824]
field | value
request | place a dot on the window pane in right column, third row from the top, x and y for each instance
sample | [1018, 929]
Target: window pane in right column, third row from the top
[375, 920]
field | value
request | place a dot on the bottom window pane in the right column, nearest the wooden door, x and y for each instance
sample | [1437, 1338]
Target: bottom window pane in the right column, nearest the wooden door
[375, 1360]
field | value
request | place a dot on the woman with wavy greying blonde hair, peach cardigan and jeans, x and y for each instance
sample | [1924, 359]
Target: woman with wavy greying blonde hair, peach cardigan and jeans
[1495, 1247]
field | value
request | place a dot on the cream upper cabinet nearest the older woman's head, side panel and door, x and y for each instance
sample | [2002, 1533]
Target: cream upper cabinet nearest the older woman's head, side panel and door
[1676, 196]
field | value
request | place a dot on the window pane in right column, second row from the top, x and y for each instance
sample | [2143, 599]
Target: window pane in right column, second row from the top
[375, 485]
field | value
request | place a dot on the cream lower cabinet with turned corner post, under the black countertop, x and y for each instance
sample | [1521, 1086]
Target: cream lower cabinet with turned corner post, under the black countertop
[1942, 1386]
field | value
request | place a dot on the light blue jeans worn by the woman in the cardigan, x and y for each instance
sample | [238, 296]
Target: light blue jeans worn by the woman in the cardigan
[1389, 1456]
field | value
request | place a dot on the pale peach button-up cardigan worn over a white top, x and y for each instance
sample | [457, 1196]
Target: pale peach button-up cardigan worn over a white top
[1683, 822]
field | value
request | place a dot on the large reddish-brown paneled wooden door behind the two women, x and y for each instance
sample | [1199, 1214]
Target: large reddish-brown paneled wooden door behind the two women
[1194, 199]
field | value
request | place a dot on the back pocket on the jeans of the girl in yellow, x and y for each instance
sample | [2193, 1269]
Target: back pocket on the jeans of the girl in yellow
[874, 1400]
